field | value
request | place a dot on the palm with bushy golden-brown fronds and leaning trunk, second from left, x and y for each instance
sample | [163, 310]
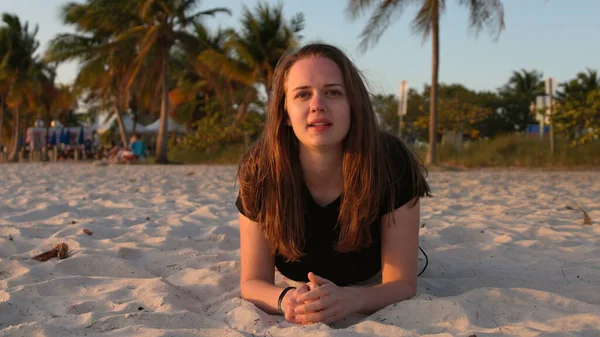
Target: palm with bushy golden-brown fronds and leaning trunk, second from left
[105, 61]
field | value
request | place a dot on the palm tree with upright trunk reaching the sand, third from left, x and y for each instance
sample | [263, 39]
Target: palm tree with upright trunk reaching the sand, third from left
[163, 25]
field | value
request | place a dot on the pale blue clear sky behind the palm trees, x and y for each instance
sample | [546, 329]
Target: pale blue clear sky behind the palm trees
[556, 37]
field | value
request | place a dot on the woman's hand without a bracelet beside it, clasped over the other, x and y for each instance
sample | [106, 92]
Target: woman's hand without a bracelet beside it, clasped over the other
[325, 302]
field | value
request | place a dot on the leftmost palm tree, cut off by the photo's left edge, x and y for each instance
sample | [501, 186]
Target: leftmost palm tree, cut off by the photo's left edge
[20, 71]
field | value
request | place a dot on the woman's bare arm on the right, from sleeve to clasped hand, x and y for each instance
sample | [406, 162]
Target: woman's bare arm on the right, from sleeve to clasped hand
[399, 253]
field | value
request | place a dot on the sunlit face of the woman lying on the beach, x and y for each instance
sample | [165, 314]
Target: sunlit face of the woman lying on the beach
[317, 104]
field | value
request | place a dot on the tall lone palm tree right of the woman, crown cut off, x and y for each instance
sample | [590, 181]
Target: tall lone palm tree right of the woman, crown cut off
[483, 13]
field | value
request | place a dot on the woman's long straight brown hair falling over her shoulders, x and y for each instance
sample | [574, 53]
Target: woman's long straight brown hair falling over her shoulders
[270, 174]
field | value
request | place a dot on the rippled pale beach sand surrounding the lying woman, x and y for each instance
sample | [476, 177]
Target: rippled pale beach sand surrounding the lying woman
[507, 258]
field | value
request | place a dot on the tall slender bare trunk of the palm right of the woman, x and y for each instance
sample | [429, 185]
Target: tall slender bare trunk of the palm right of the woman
[435, 38]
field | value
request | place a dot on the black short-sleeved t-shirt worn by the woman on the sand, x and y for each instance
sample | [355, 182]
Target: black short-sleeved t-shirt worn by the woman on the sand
[321, 233]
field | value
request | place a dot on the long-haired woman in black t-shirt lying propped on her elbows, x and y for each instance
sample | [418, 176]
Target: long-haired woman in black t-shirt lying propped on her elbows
[326, 197]
